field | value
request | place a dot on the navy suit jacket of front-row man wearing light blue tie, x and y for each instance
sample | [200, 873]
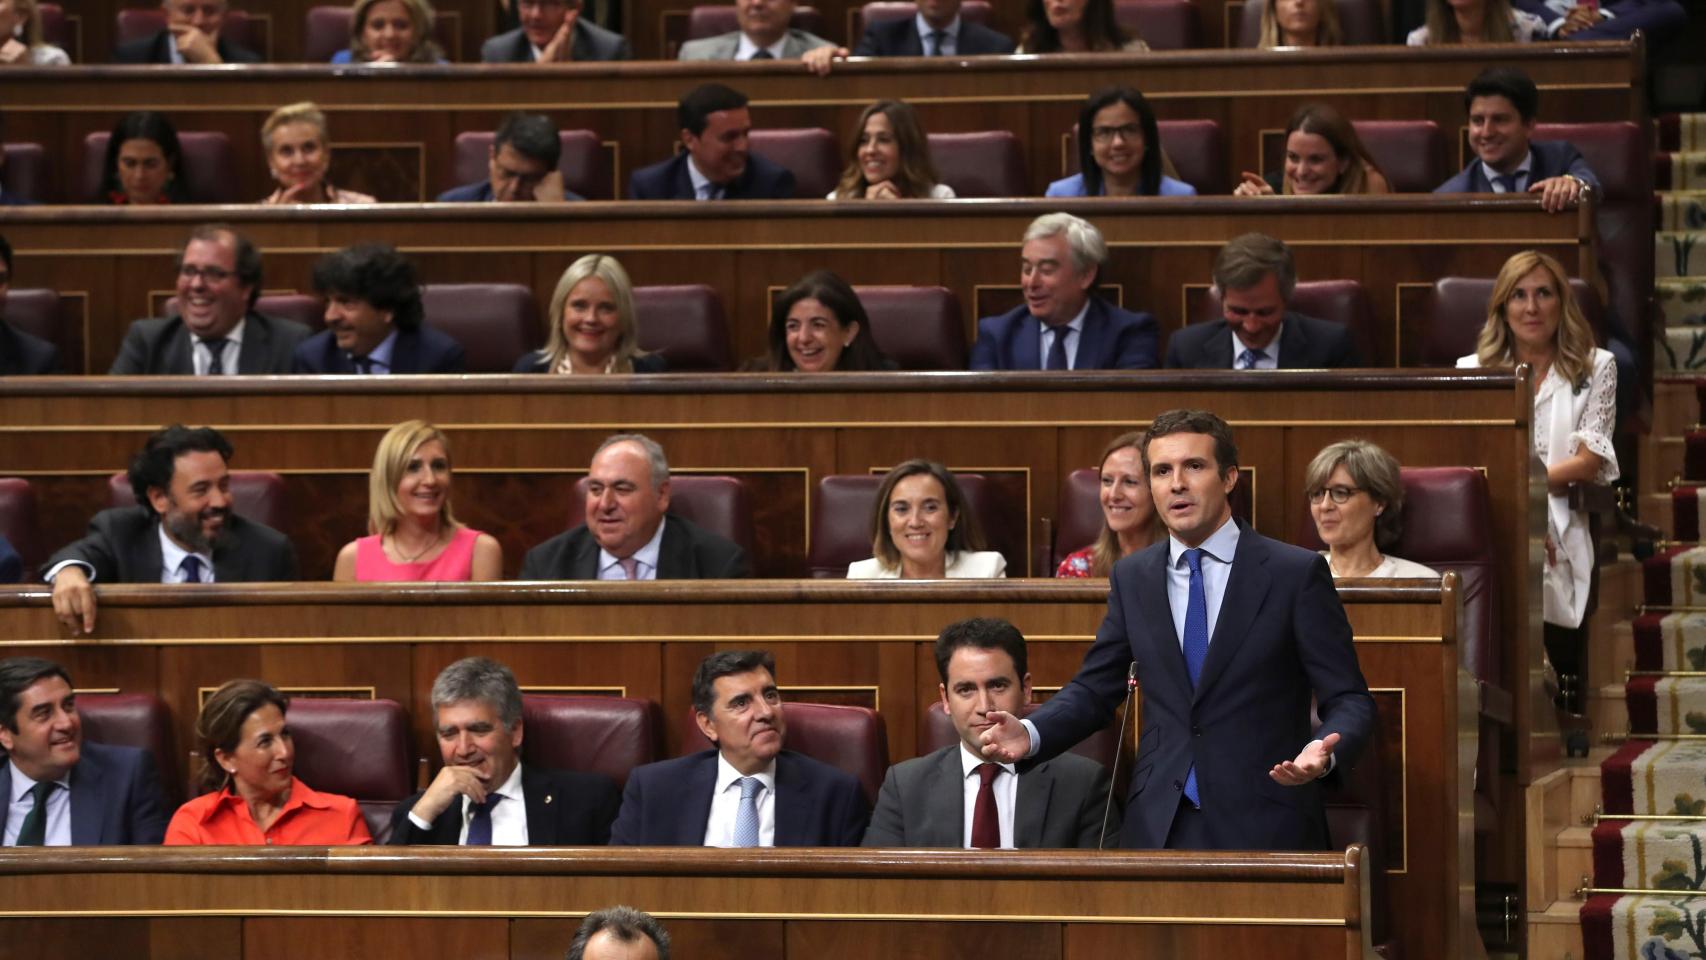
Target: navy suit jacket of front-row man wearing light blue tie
[668, 804]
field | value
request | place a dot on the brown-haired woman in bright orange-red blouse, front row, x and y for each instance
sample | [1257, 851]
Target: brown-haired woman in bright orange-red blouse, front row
[248, 792]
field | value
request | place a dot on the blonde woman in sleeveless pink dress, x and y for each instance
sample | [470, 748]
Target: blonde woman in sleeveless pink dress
[412, 535]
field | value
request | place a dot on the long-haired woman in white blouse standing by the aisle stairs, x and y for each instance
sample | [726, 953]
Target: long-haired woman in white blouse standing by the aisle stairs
[1535, 320]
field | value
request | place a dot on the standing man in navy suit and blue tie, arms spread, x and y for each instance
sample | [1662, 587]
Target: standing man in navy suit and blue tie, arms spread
[1229, 637]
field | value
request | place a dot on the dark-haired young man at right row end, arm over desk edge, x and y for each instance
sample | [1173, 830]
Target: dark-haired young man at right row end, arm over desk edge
[1502, 107]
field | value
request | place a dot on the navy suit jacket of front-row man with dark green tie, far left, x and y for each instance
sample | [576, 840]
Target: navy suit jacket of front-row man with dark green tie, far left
[115, 797]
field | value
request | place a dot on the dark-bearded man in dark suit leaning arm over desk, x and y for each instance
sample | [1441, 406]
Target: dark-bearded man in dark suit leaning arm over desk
[182, 531]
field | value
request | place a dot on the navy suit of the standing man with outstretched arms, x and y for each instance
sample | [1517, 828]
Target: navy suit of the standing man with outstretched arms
[1282, 635]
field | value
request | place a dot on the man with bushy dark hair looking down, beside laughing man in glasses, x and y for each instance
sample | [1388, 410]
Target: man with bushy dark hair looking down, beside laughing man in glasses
[374, 320]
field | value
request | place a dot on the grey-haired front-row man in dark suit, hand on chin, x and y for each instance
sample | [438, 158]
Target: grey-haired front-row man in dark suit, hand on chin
[485, 795]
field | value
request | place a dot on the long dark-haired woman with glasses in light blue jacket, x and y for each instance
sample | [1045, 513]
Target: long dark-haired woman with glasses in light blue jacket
[1120, 151]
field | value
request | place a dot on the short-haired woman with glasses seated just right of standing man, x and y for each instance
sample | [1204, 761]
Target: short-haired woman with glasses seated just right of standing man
[1357, 502]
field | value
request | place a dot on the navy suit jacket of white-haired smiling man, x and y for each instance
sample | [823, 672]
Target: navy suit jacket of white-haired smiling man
[1111, 340]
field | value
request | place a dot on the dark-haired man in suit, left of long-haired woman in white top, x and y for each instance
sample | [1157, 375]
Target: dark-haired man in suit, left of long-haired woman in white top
[717, 163]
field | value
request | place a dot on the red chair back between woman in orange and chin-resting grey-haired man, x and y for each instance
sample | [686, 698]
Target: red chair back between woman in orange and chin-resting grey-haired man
[357, 749]
